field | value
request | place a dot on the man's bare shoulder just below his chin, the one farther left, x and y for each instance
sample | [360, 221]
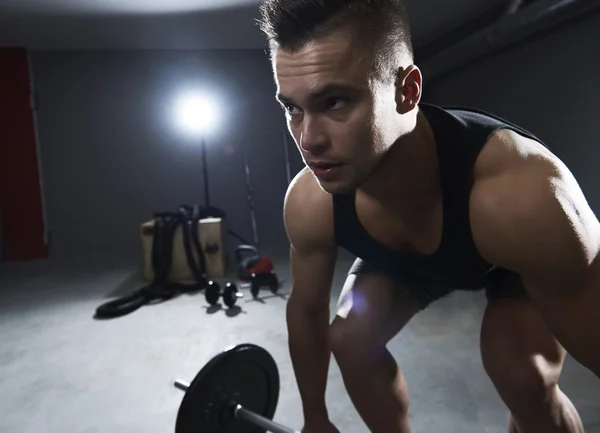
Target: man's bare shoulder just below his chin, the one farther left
[308, 213]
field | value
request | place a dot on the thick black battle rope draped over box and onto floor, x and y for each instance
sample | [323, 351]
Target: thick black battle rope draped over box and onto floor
[161, 289]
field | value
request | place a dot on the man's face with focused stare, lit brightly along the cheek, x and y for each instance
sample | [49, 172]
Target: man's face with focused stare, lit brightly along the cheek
[342, 120]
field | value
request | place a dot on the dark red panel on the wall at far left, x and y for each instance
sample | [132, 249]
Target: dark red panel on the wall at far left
[20, 193]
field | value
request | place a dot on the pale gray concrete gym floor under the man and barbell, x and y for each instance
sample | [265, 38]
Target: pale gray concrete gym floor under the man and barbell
[63, 371]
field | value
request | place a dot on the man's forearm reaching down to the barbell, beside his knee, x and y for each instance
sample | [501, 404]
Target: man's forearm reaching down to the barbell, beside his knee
[310, 355]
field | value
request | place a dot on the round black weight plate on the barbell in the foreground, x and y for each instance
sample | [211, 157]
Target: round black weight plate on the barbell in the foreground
[245, 372]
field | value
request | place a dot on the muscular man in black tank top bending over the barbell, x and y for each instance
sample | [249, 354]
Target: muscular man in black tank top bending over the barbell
[430, 200]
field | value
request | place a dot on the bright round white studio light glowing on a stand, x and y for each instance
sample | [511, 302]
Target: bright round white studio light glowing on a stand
[195, 113]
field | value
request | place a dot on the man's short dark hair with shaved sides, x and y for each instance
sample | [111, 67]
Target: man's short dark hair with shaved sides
[291, 24]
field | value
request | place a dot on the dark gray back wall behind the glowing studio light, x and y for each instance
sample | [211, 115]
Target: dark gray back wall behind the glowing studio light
[111, 156]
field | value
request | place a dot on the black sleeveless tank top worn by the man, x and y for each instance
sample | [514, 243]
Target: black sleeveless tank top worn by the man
[460, 134]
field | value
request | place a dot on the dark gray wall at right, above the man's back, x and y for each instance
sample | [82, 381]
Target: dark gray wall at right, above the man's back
[550, 86]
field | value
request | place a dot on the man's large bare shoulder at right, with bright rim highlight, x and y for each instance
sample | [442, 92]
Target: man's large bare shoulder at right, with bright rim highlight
[523, 194]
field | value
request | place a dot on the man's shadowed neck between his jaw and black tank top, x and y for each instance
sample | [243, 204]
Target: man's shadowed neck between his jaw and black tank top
[409, 172]
